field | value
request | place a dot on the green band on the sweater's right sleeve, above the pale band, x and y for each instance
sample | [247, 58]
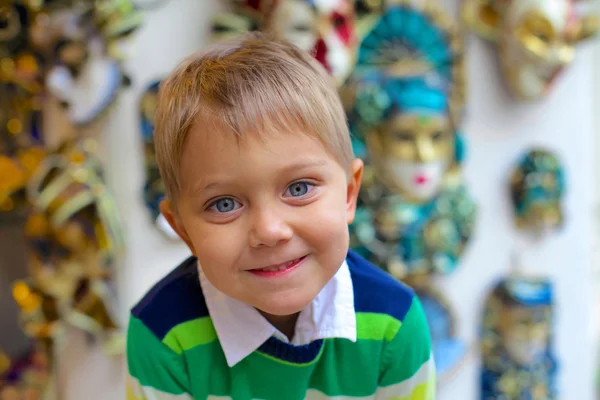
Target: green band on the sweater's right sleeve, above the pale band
[410, 348]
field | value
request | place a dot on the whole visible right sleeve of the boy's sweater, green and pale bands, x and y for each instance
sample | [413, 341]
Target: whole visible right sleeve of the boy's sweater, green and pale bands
[408, 370]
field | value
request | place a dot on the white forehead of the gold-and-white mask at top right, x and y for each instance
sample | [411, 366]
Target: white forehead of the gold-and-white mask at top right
[558, 12]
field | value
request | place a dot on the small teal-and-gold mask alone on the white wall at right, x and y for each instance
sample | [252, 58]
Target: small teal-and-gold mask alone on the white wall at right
[537, 188]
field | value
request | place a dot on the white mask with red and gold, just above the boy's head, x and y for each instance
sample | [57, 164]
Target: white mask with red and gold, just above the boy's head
[323, 27]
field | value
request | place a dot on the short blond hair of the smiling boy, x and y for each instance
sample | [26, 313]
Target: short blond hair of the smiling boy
[249, 84]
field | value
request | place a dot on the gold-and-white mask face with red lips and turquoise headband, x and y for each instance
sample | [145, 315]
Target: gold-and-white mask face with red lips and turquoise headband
[414, 145]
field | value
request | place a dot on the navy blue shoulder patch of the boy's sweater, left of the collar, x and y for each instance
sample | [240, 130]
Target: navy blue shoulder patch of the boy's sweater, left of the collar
[175, 299]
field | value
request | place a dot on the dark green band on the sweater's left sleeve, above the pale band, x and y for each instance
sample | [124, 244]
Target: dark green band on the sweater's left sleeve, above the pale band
[152, 363]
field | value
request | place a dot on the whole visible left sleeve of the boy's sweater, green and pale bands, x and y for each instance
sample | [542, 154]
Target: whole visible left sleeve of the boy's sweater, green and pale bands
[156, 371]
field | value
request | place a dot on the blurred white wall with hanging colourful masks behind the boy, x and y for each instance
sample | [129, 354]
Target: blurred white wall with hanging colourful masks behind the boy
[81, 240]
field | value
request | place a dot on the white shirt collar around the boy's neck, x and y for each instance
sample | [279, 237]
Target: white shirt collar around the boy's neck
[241, 329]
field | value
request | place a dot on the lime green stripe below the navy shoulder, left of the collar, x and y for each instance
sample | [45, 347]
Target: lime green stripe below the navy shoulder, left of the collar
[190, 334]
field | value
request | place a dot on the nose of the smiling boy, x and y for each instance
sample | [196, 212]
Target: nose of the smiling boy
[268, 229]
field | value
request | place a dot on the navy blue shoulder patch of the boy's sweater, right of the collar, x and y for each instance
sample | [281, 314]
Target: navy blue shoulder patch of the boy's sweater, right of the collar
[375, 291]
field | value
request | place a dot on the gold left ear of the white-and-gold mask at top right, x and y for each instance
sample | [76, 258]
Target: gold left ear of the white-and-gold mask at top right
[482, 18]
